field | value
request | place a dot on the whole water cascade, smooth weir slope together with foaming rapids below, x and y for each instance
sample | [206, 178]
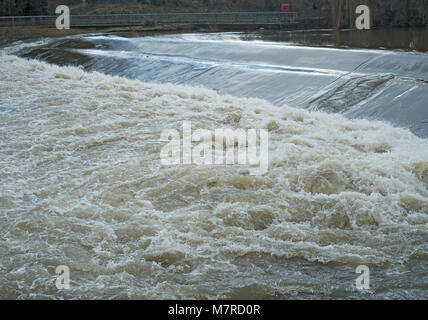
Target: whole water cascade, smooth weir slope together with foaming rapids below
[82, 184]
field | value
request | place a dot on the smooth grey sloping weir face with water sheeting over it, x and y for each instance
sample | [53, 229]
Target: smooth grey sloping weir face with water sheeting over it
[372, 84]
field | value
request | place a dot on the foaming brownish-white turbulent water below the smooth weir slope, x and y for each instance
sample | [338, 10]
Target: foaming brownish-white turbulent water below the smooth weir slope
[82, 185]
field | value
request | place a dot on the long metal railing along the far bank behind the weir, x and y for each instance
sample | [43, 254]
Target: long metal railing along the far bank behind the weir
[140, 19]
